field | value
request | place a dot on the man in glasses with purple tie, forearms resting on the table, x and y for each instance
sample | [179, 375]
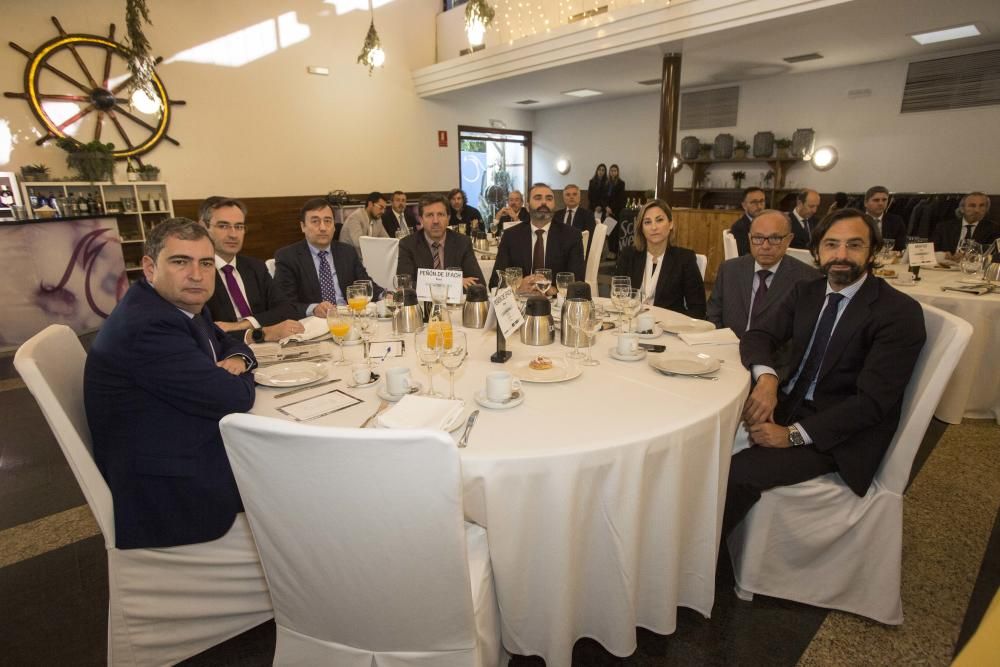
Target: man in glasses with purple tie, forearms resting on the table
[245, 304]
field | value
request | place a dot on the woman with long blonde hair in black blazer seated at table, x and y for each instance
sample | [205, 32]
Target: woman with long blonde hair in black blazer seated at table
[651, 260]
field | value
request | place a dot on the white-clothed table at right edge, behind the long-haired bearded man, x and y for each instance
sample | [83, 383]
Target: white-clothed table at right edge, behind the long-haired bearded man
[974, 388]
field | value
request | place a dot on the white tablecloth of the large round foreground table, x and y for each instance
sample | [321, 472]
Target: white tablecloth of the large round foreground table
[602, 496]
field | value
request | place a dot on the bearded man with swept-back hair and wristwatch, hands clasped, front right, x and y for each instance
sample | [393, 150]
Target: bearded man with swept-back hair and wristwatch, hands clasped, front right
[854, 343]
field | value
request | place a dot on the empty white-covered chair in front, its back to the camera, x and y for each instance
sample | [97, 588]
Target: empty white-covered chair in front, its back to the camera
[363, 543]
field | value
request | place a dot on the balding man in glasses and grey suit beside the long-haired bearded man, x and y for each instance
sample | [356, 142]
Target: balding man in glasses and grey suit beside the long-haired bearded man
[738, 299]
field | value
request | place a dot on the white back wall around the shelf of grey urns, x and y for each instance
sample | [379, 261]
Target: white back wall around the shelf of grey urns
[941, 151]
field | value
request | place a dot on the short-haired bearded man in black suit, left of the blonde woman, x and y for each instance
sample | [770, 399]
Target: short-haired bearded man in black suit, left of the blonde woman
[540, 244]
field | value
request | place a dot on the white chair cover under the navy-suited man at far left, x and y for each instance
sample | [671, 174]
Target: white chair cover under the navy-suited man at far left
[165, 604]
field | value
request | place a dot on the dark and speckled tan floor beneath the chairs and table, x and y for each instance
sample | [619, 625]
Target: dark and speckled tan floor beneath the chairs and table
[53, 590]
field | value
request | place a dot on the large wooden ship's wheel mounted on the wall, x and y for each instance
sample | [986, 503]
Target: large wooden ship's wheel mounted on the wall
[47, 78]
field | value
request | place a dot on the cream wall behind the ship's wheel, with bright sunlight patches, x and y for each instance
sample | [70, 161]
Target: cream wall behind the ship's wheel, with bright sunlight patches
[267, 128]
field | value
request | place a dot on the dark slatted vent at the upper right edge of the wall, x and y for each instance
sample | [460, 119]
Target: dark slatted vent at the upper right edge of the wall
[958, 82]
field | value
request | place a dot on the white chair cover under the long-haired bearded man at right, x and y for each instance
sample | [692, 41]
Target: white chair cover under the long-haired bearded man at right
[818, 543]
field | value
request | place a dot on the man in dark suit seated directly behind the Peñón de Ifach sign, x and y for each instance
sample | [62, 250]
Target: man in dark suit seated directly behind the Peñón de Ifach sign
[436, 246]
